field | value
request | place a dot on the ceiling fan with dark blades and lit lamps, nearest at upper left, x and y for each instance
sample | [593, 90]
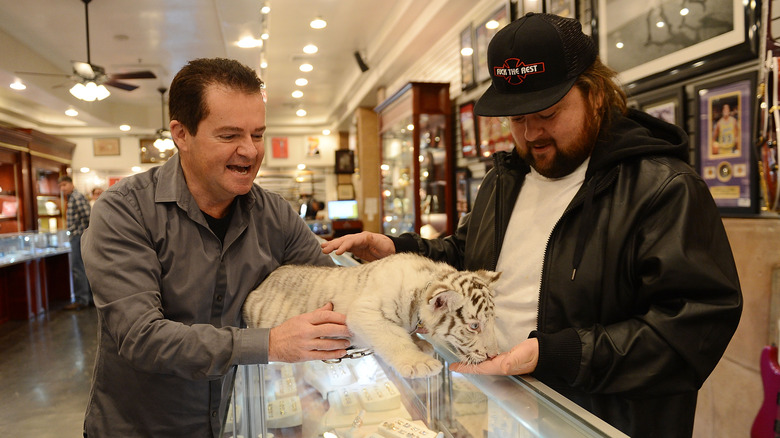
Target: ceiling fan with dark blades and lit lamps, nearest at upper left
[91, 78]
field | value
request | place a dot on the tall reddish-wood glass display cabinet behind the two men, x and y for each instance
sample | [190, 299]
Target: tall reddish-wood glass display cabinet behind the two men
[417, 161]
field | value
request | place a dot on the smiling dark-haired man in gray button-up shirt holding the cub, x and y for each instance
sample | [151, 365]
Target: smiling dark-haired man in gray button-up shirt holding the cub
[172, 254]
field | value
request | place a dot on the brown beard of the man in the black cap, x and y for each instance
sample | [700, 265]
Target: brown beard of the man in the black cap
[563, 161]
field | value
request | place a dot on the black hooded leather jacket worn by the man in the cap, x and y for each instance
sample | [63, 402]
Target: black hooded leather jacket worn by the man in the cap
[639, 295]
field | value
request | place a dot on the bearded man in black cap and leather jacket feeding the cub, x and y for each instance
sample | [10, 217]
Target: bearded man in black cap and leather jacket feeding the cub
[618, 286]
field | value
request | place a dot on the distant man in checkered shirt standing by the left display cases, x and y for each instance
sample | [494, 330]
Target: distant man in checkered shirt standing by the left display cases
[77, 220]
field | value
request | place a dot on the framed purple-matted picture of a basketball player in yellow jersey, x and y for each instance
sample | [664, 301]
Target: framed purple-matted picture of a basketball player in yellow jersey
[724, 154]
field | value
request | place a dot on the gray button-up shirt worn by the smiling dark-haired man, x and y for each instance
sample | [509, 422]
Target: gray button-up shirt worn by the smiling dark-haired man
[169, 296]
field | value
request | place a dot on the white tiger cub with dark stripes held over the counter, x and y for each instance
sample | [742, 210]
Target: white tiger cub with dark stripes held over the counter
[385, 301]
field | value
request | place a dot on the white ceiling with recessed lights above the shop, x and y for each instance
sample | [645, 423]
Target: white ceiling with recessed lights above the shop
[162, 35]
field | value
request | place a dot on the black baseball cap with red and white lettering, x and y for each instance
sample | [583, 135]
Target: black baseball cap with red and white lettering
[534, 61]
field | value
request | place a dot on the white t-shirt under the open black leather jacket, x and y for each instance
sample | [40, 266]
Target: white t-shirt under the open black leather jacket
[539, 205]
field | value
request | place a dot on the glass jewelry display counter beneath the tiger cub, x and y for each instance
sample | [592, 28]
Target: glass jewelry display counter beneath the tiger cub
[364, 398]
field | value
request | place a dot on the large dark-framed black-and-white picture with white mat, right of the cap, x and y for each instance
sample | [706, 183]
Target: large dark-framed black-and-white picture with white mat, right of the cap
[648, 55]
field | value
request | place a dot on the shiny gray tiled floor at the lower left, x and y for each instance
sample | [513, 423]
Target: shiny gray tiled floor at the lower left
[45, 373]
